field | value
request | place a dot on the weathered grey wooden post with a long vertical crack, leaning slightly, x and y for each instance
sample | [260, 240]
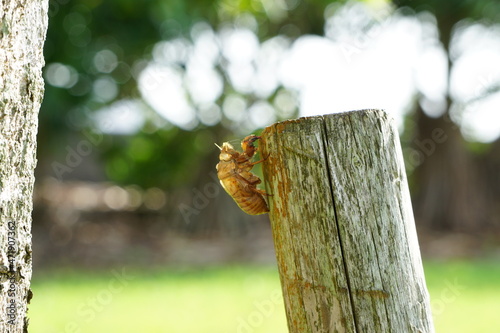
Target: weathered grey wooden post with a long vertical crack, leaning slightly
[343, 226]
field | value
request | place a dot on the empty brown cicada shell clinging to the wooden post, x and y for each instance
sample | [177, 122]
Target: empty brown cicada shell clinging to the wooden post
[236, 178]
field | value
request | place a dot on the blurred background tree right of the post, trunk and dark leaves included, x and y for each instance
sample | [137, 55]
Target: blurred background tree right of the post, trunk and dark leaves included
[457, 186]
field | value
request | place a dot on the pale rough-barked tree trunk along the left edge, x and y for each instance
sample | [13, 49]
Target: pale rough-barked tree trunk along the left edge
[23, 24]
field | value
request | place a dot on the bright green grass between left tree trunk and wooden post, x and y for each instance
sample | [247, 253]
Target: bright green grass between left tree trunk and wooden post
[211, 301]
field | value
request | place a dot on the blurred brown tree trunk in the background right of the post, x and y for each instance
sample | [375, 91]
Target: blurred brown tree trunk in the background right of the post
[450, 195]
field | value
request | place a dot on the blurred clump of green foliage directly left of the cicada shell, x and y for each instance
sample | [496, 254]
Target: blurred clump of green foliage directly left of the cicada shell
[164, 158]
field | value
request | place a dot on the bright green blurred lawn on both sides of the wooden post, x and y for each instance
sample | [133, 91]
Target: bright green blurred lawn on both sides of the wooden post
[465, 298]
